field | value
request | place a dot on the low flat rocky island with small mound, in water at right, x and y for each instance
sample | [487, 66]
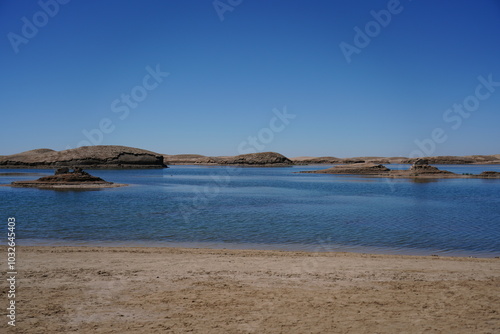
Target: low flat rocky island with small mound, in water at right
[419, 170]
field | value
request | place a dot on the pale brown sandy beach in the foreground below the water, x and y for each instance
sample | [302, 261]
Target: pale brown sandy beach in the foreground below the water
[174, 290]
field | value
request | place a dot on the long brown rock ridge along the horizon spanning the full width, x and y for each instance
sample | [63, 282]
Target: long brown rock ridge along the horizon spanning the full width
[112, 156]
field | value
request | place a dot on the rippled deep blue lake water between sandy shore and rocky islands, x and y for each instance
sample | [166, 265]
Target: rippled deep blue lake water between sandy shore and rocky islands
[266, 208]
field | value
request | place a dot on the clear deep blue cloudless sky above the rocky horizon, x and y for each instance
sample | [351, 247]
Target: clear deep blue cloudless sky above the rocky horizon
[227, 76]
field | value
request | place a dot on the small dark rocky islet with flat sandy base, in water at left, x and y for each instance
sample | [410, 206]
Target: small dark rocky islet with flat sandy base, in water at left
[65, 178]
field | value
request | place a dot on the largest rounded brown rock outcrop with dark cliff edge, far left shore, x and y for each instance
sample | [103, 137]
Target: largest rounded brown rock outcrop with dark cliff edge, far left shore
[95, 157]
